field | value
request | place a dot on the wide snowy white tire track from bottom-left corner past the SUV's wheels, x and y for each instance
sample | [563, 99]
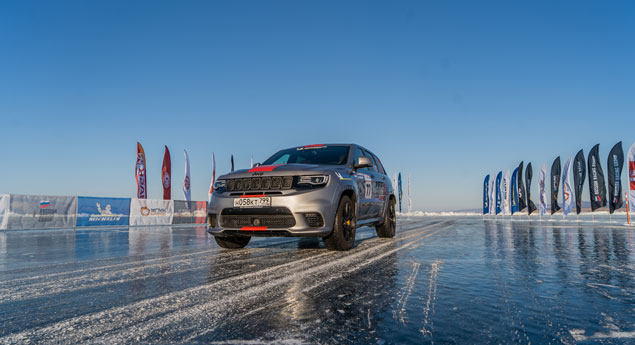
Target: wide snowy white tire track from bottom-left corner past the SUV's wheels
[145, 316]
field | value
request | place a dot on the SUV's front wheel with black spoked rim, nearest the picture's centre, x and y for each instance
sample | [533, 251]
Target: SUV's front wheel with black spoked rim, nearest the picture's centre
[343, 235]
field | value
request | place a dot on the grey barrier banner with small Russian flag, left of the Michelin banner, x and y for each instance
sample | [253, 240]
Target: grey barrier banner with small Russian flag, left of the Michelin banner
[41, 212]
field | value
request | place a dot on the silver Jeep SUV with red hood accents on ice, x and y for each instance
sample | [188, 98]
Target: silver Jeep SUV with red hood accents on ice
[323, 191]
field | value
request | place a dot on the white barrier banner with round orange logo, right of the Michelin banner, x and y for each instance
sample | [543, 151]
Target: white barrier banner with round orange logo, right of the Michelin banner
[151, 212]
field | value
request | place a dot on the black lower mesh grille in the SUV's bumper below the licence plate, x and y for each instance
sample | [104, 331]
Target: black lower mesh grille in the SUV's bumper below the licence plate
[273, 217]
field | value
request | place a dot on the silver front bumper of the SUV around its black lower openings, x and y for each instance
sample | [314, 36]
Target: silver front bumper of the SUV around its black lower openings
[322, 201]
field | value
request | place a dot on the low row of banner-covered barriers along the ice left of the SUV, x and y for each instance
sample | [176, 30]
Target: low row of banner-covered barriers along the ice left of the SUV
[20, 212]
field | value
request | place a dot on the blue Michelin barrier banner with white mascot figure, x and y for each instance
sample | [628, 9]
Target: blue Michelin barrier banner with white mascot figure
[102, 211]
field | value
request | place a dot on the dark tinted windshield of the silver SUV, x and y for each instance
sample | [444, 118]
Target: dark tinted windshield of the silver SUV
[327, 155]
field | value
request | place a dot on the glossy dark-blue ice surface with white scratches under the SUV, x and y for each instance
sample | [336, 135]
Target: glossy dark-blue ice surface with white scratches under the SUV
[441, 280]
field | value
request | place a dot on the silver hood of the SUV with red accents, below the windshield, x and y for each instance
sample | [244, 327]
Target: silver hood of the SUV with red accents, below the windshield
[284, 170]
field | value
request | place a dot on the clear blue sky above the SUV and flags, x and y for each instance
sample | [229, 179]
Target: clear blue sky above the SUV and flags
[447, 91]
